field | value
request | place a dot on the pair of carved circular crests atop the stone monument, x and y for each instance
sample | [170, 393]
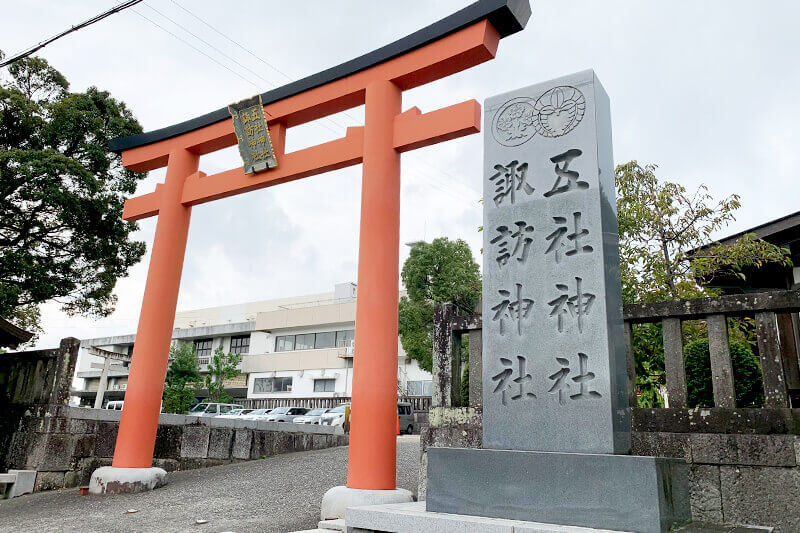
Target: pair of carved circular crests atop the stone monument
[557, 112]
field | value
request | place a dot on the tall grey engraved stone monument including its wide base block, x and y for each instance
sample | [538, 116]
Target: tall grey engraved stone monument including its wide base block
[556, 422]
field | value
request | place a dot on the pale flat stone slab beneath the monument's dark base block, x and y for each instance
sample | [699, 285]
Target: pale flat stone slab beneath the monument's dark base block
[413, 518]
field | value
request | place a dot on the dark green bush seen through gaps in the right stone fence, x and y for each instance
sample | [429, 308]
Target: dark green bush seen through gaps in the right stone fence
[746, 375]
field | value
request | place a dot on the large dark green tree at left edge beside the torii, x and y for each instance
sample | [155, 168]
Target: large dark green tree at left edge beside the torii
[61, 195]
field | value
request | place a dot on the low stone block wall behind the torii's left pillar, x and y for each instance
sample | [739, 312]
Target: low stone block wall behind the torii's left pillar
[67, 444]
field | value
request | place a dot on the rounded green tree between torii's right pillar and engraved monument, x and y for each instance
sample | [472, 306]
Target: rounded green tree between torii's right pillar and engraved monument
[434, 273]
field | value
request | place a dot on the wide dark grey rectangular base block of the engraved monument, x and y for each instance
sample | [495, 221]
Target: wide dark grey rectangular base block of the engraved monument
[617, 492]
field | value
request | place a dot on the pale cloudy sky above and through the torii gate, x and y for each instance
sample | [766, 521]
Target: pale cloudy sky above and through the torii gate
[703, 89]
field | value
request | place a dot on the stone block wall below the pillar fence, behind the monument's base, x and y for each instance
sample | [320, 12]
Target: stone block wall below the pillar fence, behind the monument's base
[744, 463]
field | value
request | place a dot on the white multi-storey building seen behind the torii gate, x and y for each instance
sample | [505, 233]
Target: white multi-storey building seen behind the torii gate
[299, 347]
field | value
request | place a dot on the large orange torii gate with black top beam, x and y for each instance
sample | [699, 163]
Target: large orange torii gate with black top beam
[377, 80]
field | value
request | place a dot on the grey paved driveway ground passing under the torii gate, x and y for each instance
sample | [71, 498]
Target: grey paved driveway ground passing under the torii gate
[277, 494]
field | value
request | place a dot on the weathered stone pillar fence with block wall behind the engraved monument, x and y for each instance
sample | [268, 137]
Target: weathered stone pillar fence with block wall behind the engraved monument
[744, 461]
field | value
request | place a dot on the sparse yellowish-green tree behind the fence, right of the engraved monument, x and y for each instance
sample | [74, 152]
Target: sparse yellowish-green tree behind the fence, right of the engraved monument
[666, 249]
